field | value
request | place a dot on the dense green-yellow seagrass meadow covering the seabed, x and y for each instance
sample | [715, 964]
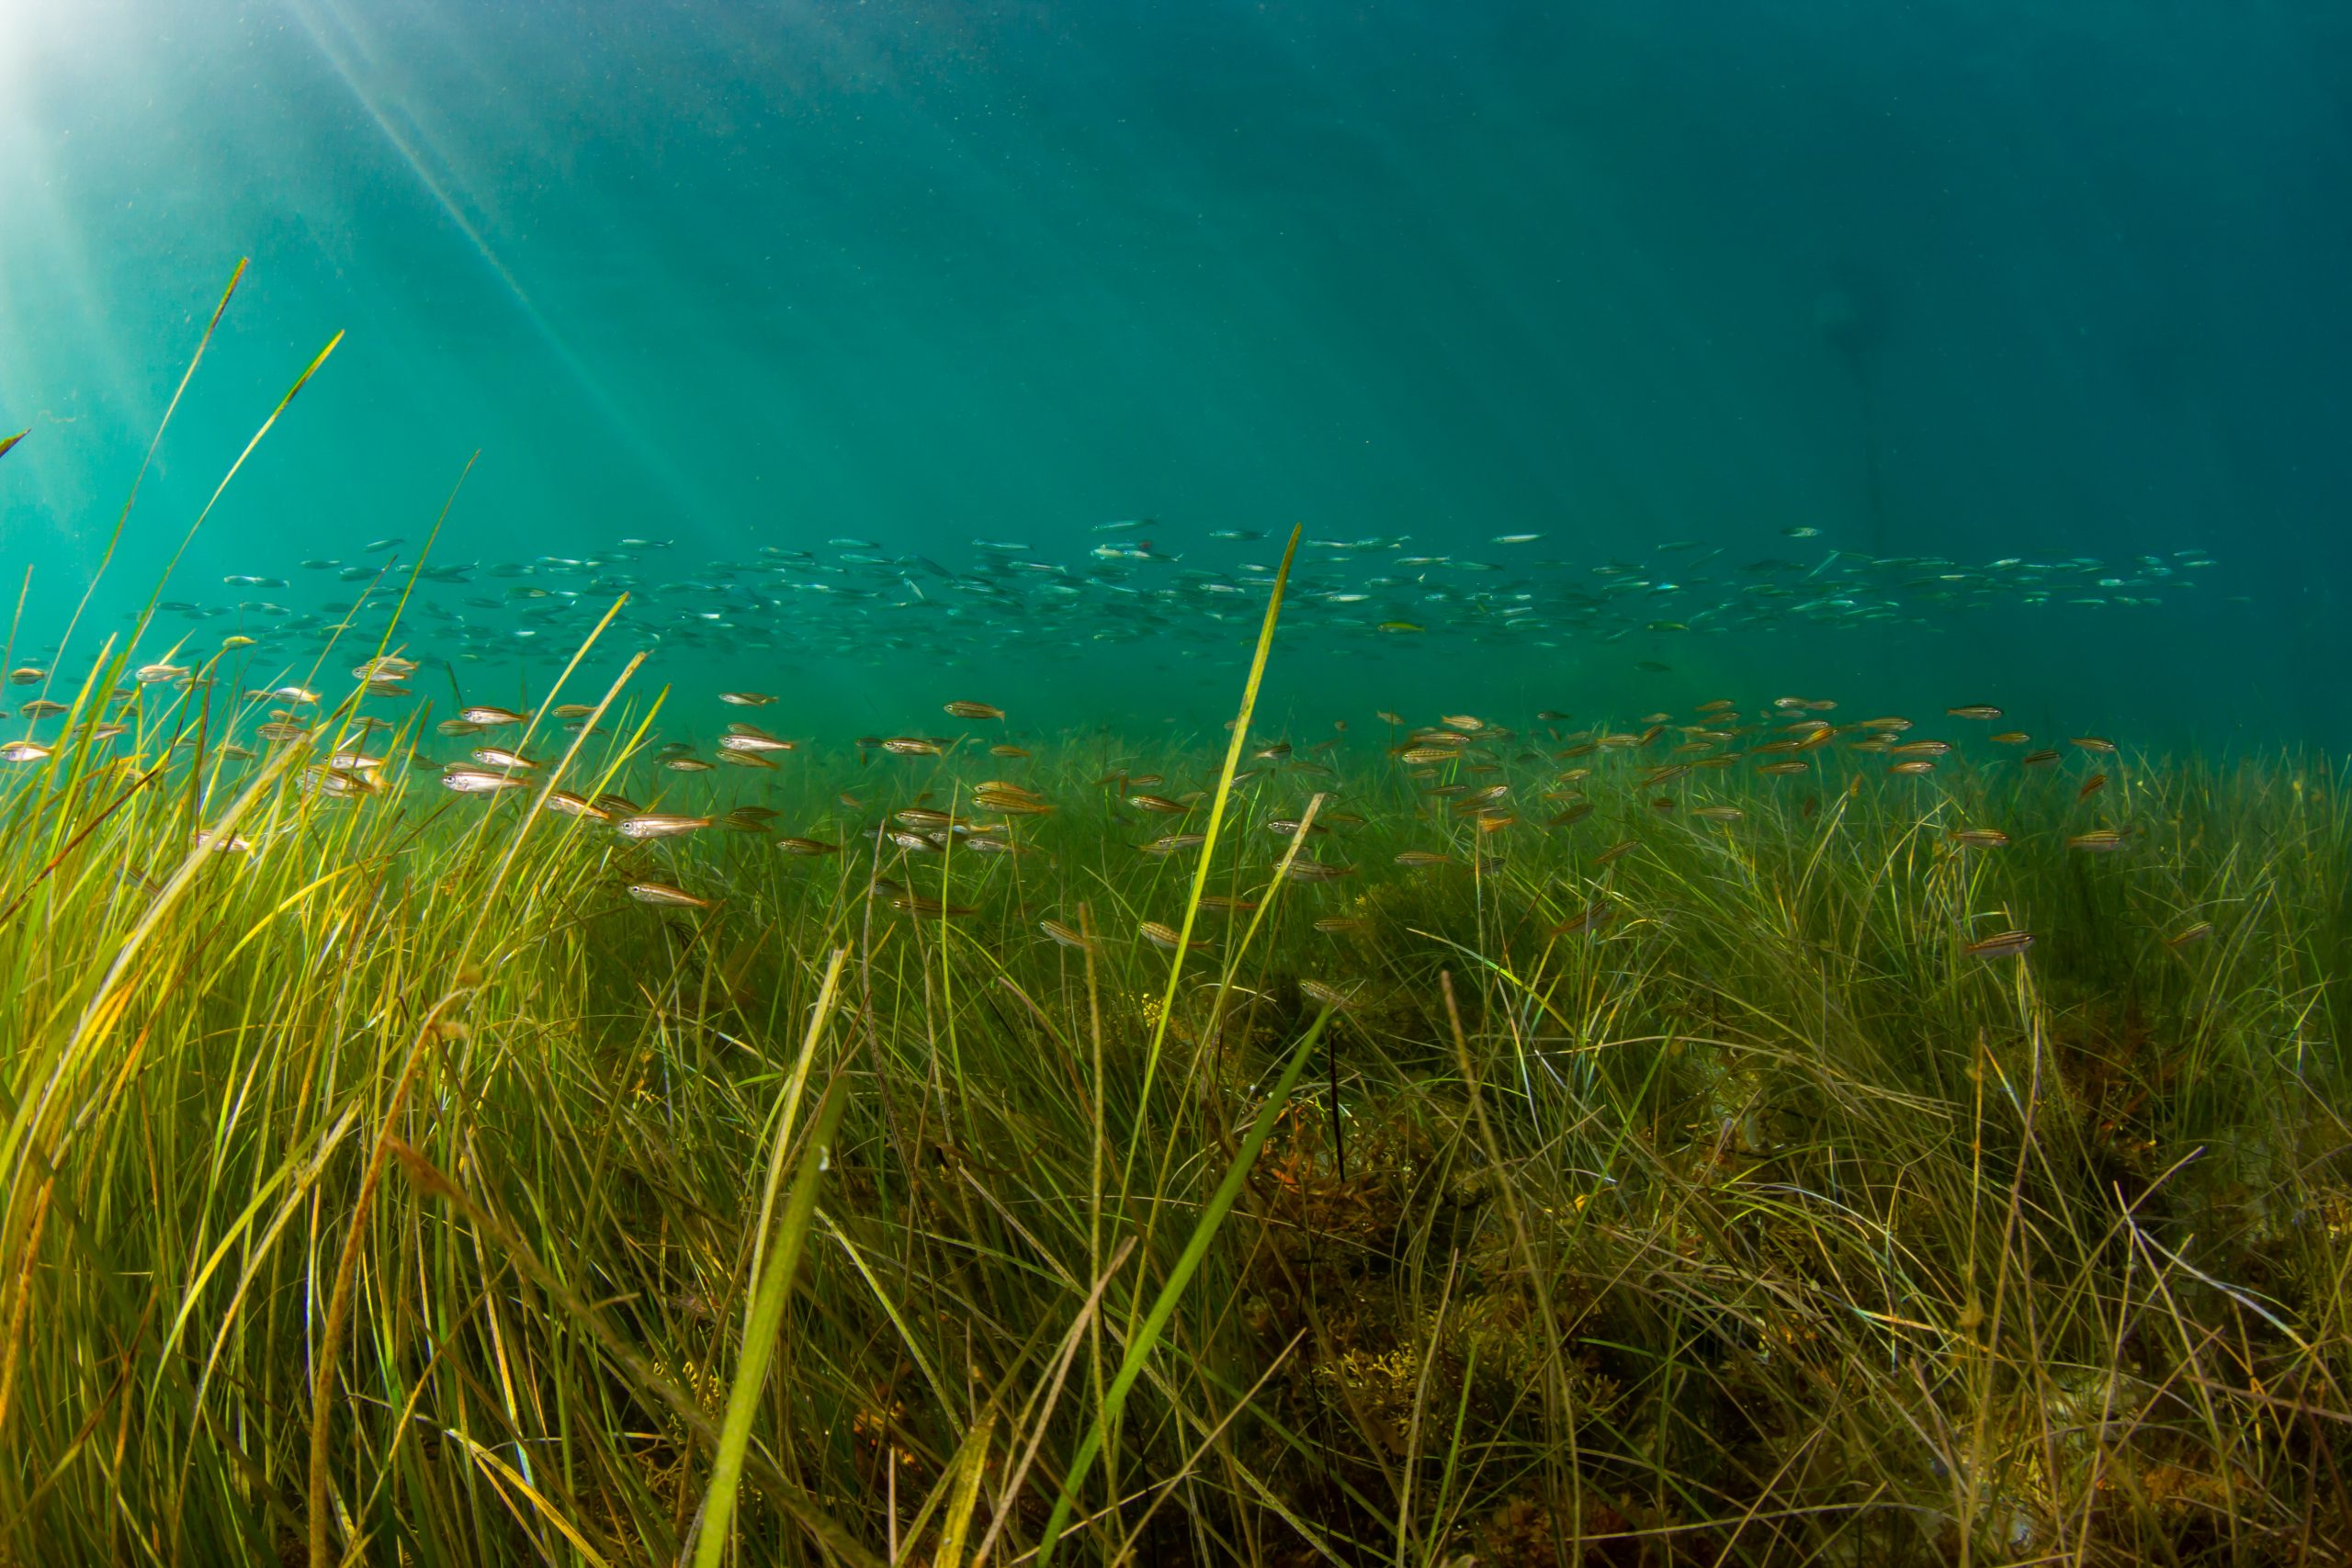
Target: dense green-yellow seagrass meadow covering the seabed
[1476, 1139]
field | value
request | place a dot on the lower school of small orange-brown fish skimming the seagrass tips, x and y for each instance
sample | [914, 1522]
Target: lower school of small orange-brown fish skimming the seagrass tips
[1469, 786]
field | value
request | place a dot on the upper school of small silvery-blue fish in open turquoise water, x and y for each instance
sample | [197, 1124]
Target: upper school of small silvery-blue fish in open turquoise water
[855, 596]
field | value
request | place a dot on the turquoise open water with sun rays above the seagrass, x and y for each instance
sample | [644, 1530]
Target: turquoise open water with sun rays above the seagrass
[1965, 283]
